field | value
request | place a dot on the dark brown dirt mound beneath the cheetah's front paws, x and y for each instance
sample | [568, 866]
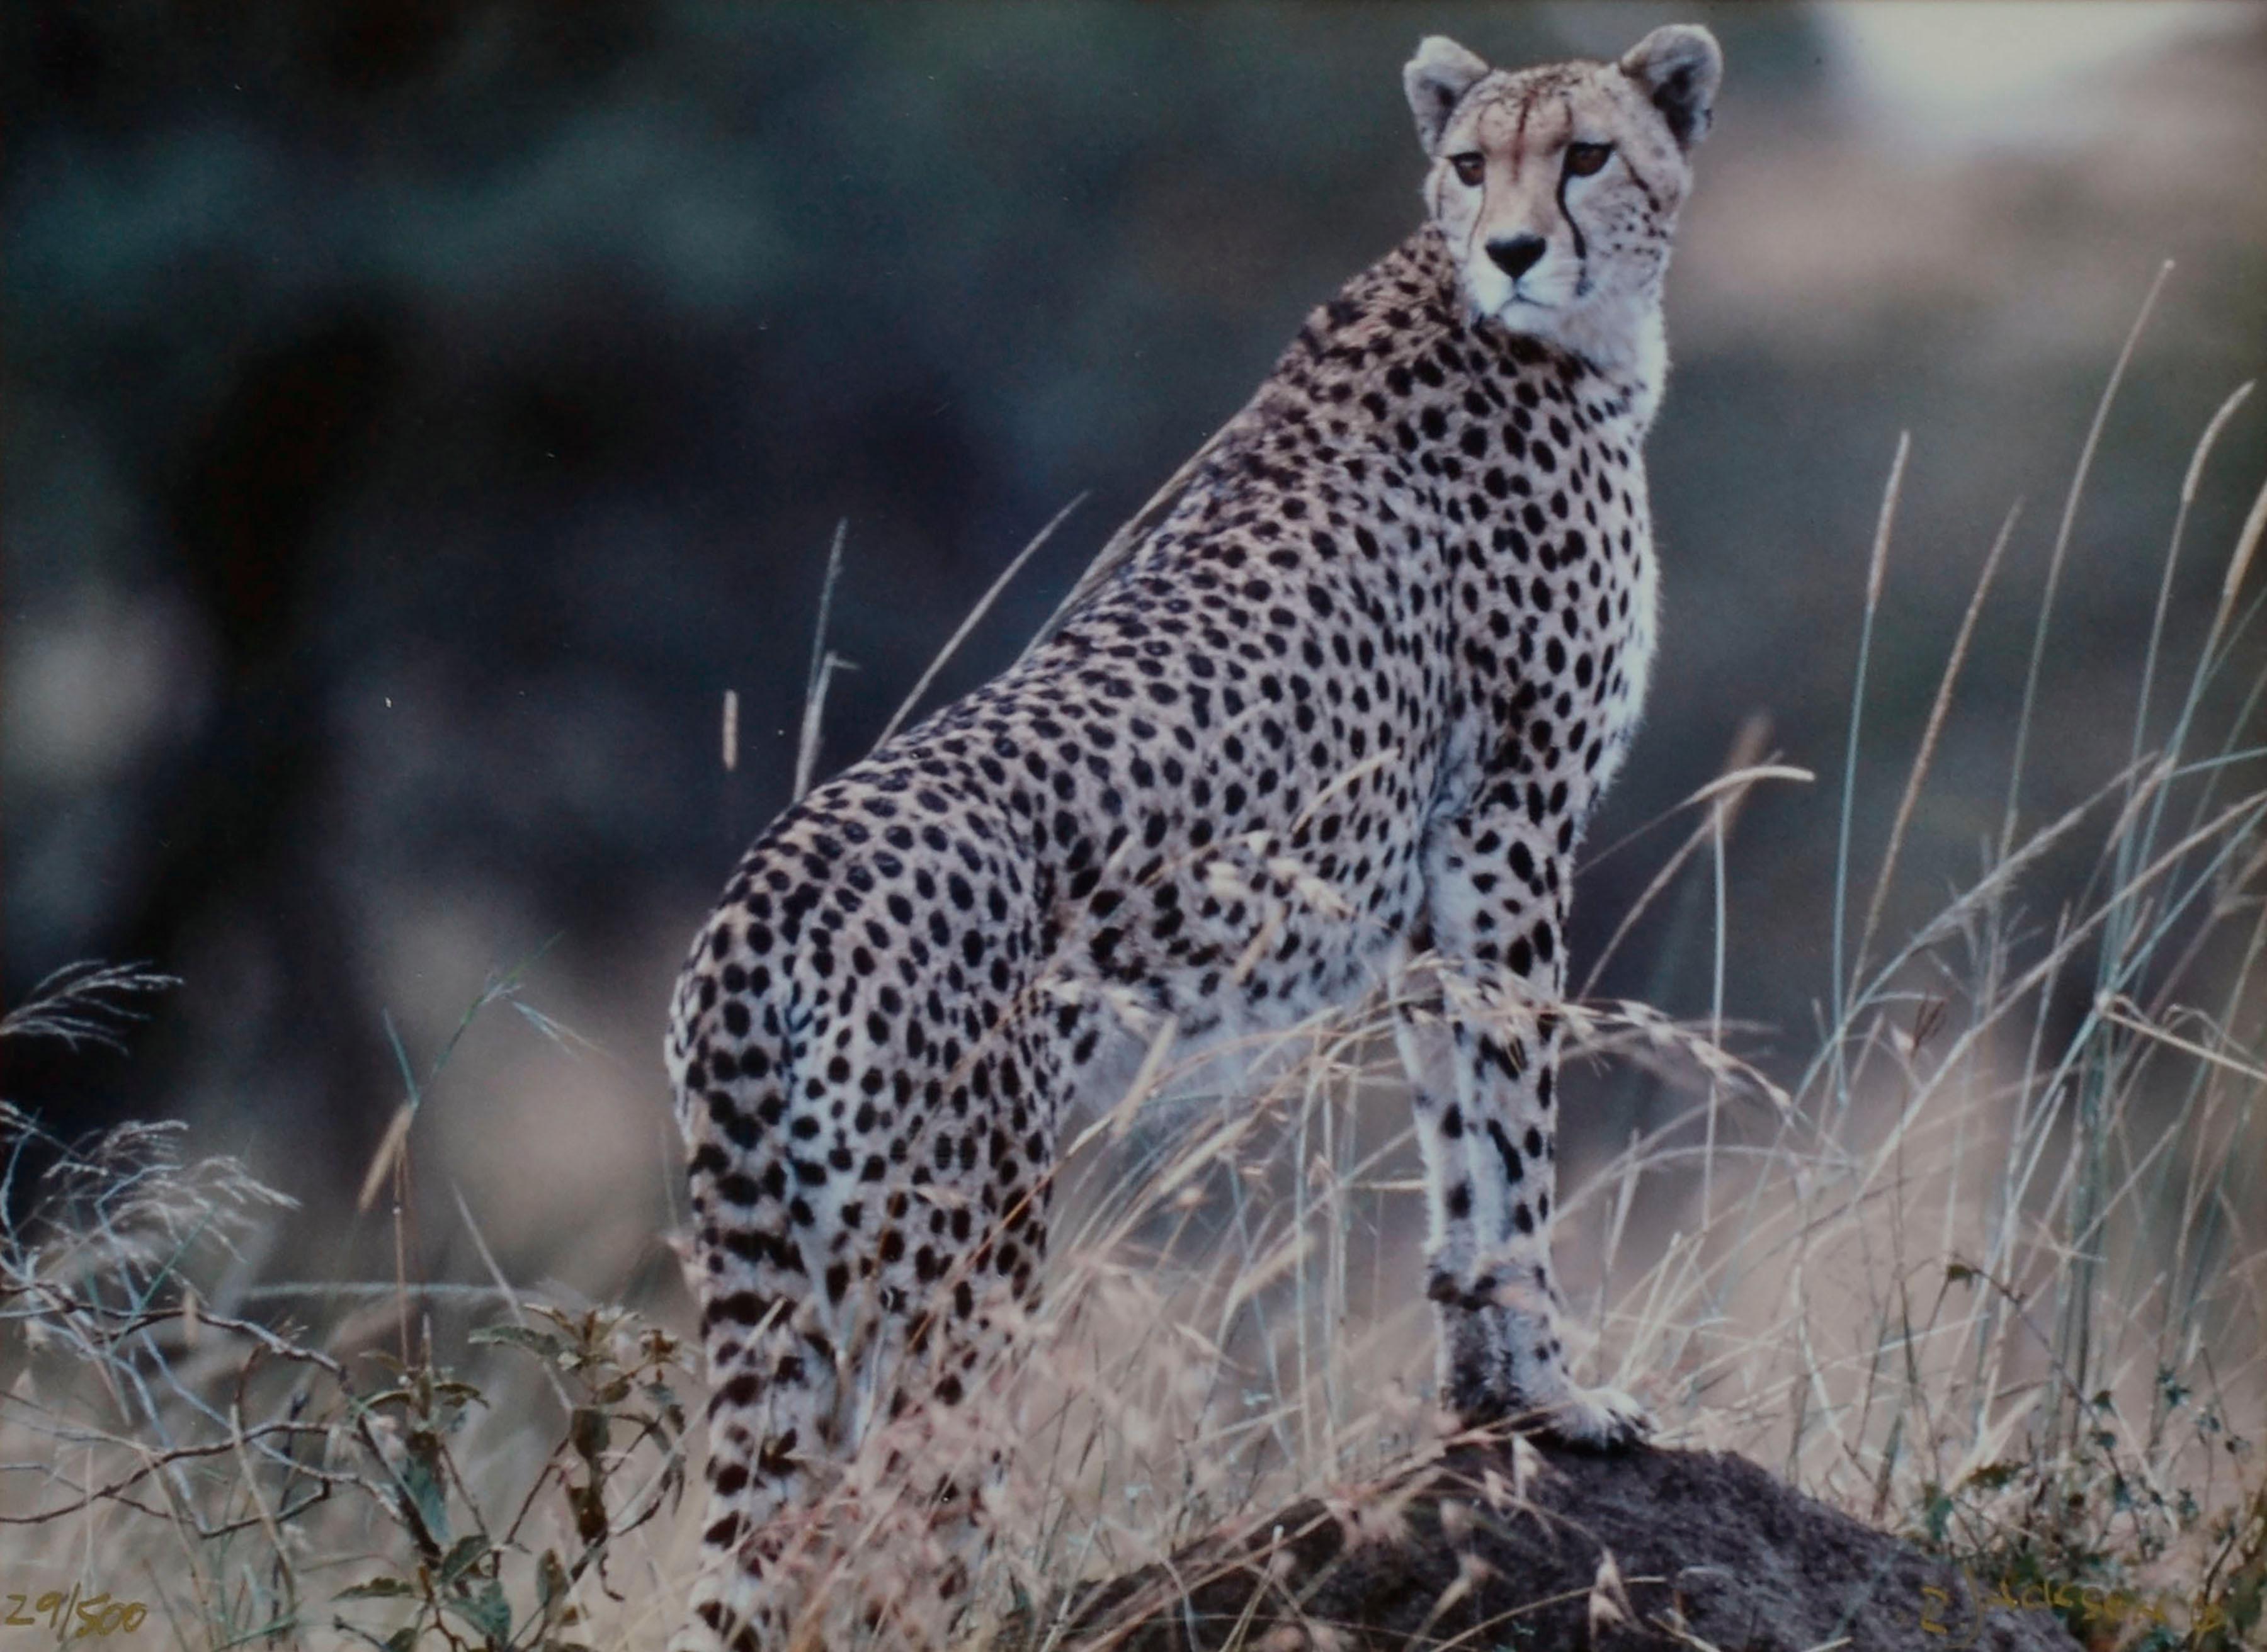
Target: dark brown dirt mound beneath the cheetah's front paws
[1509, 1547]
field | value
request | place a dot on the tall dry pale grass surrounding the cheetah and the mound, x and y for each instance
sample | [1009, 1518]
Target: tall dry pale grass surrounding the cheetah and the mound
[1989, 1270]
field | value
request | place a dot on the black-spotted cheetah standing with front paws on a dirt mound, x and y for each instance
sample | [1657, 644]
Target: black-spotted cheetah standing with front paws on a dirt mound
[1327, 717]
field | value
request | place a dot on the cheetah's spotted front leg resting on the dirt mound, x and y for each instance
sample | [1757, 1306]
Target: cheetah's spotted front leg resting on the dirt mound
[1481, 1057]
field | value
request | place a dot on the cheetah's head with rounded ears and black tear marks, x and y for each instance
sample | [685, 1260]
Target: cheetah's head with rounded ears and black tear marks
[1559, 187]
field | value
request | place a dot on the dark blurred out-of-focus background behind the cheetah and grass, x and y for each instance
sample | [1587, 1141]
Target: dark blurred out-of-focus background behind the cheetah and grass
[421, 414]
